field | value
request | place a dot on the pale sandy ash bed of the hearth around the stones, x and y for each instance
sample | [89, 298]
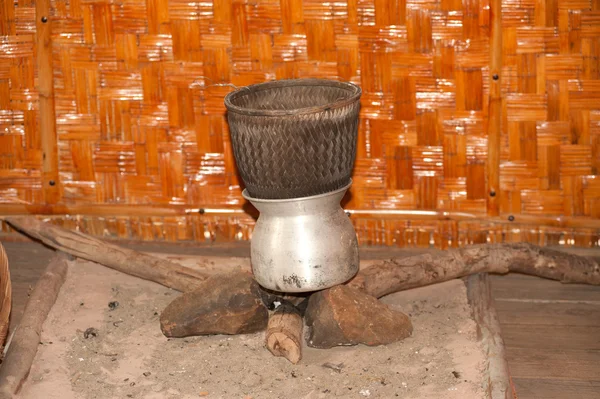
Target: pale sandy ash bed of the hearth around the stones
[130, 358]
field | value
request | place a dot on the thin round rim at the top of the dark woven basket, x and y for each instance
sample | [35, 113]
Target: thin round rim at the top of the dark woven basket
[355, 93]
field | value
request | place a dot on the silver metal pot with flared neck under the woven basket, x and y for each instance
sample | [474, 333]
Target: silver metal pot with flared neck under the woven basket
[303, 244]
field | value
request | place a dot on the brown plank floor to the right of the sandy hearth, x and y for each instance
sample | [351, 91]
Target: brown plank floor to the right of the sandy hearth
[552, 336]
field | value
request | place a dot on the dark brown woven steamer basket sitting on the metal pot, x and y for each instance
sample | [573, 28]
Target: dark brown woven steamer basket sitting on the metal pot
[294, 138]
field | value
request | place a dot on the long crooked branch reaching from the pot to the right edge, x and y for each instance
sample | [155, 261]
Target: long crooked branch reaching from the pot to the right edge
[416, 271]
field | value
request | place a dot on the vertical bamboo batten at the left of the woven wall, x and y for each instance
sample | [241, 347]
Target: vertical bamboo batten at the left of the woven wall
[47, 123]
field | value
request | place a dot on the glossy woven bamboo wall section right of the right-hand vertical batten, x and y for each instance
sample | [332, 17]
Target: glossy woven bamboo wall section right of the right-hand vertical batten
[552, 98]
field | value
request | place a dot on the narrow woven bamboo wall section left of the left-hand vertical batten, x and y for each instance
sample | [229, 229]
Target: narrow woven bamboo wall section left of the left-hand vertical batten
[20, 148]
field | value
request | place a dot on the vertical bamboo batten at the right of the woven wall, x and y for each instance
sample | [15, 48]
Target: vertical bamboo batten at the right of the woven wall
[495, 109]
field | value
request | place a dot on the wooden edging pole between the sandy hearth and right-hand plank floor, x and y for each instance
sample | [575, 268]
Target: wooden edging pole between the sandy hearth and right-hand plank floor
[497, 385]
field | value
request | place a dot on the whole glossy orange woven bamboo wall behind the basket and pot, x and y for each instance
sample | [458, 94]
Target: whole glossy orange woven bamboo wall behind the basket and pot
[138, 124]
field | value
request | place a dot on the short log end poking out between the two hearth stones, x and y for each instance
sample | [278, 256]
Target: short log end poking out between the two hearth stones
[285, 333]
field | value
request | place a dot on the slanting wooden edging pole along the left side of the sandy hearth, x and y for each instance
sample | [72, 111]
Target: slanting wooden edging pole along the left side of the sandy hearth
[23, 347]
